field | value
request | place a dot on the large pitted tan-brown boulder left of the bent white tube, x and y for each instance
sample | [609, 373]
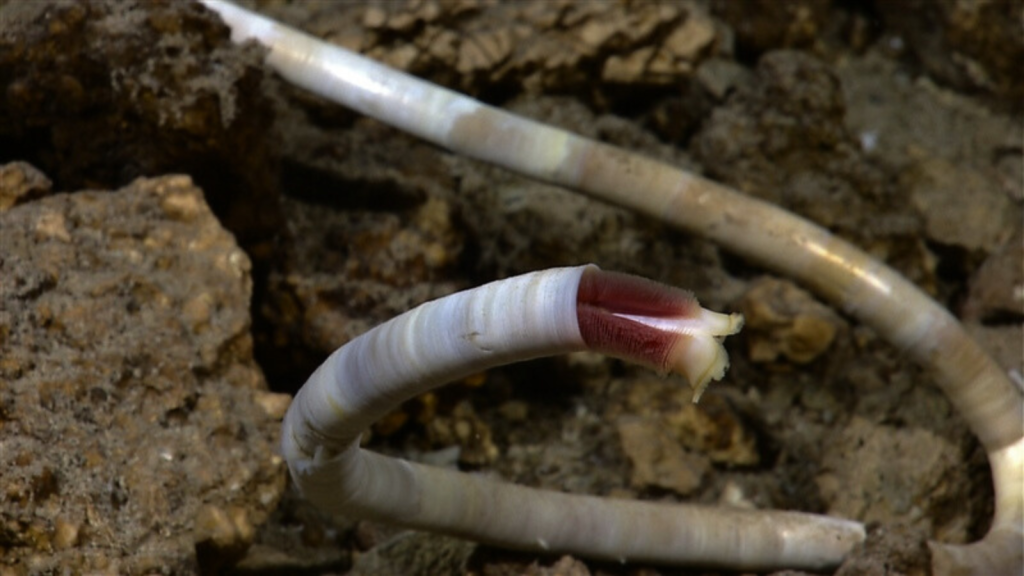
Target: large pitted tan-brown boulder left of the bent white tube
[130, 407]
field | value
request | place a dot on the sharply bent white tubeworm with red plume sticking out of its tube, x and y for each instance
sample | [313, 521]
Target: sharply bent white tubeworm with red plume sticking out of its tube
[517, 319]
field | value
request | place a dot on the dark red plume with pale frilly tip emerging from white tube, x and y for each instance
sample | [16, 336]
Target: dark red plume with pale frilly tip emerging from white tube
[656, 325]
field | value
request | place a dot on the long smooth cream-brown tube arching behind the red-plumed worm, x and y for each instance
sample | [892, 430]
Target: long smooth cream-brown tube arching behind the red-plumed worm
[880, 298]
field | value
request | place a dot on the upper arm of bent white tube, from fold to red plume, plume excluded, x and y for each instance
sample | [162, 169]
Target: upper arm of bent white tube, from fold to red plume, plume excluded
[431, 346]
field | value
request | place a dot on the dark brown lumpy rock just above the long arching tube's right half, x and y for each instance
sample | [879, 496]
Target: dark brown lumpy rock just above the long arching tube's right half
[782, 137]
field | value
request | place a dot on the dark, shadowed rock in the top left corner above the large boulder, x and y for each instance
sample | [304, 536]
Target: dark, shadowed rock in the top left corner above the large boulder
[99, 94]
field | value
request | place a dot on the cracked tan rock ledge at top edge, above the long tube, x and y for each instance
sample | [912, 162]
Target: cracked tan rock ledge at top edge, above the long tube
[531, 47]
